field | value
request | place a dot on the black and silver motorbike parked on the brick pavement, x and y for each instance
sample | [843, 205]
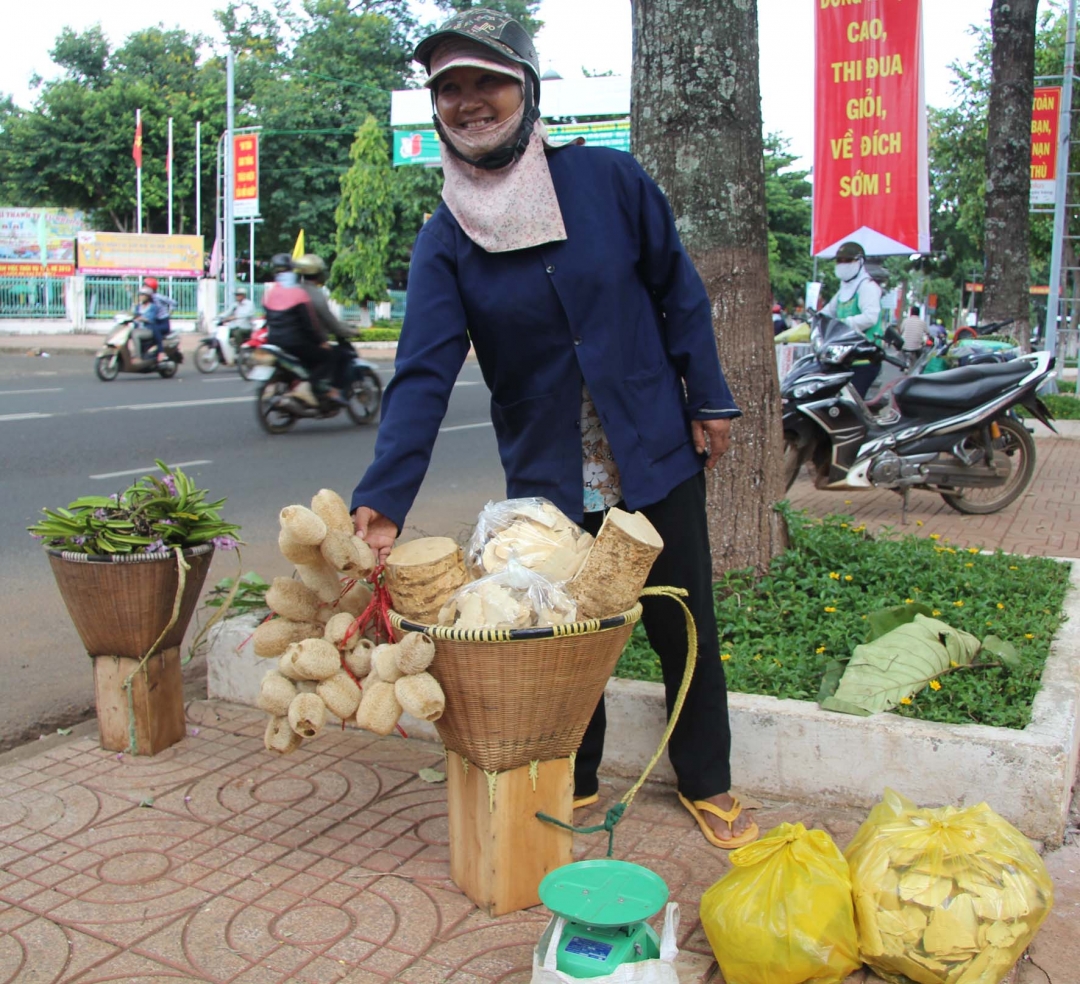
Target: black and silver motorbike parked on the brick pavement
[954, 433]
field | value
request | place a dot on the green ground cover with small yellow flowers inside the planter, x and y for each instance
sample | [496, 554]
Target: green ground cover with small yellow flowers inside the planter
[779, 632]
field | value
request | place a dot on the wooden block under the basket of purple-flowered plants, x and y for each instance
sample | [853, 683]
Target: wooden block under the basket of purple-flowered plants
[156, 708]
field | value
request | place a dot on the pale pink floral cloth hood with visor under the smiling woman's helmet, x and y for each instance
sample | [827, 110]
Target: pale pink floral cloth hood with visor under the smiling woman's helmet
[509, 208]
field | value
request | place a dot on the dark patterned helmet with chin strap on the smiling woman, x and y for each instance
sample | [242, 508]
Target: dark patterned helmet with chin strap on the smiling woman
[482, 38]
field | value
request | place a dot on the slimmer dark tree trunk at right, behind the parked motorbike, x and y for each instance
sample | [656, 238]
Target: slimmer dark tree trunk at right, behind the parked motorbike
[1008, 157]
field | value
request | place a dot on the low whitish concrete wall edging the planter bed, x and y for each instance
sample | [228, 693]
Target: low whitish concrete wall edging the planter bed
[793, 750]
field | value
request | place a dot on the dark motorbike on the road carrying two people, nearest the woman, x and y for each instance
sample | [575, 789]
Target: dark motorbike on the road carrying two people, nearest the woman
[286, 396]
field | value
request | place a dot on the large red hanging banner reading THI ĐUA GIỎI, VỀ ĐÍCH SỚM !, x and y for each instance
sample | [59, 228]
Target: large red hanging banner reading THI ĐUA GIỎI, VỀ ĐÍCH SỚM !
[870, 177]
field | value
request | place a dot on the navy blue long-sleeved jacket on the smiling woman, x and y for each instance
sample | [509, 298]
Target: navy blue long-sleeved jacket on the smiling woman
[618, 304]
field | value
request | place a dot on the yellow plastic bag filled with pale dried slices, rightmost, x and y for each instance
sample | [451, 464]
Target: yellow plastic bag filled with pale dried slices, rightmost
[944, 896]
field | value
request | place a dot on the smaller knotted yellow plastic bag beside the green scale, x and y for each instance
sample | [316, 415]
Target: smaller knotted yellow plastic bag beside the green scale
[784, 915]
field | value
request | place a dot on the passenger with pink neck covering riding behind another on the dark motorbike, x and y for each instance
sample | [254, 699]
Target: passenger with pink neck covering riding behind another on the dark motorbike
[293, 326]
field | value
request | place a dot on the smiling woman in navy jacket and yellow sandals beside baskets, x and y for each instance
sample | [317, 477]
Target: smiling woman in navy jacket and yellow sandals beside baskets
[564, 272]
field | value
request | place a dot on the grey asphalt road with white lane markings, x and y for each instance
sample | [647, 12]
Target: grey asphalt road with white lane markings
[64, 434]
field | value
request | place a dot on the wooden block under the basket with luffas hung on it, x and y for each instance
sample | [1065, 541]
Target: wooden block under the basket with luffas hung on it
[499, 851]
